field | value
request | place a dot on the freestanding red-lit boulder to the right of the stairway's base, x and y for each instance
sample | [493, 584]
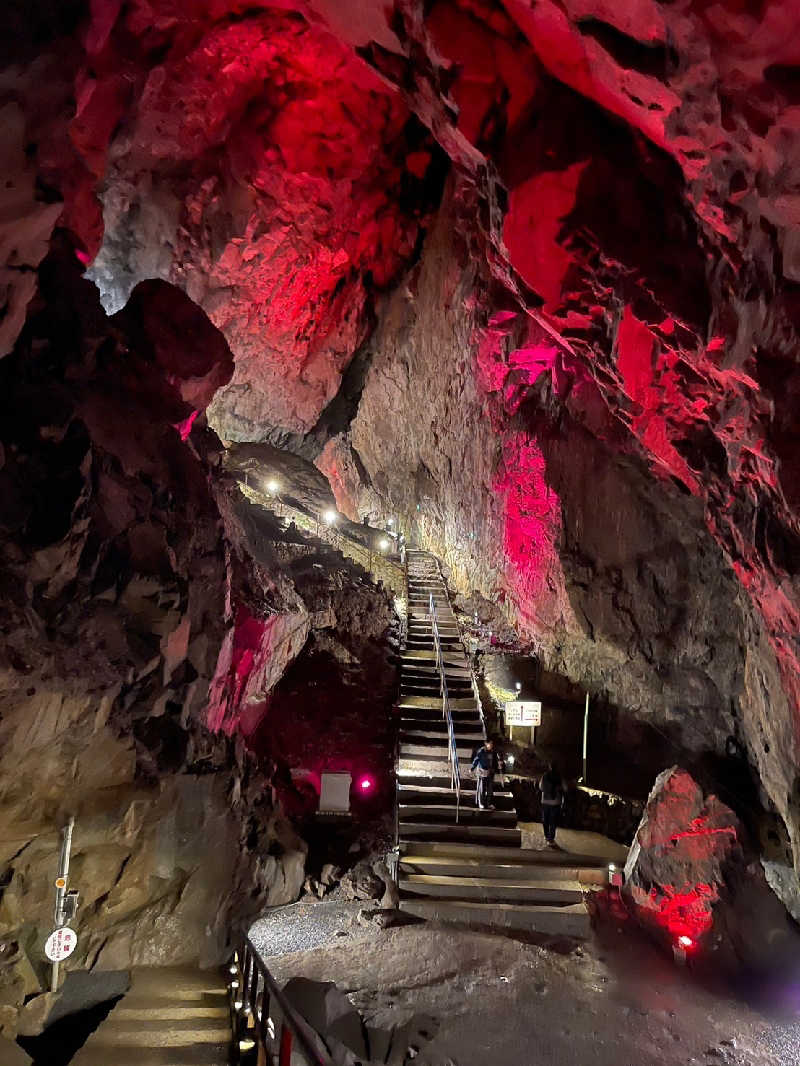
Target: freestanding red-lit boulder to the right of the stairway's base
[676, 873]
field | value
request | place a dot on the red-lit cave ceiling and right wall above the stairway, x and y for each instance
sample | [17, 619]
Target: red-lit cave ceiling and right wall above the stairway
[601, 203]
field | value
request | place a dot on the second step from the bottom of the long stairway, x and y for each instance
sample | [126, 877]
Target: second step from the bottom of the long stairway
[487, 889]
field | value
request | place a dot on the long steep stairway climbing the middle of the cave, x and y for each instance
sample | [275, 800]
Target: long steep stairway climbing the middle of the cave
[472, 868]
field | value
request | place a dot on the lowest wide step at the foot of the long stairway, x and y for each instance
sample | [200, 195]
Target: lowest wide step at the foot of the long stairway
[553, 920]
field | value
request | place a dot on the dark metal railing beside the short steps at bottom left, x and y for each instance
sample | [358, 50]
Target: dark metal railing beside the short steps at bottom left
[258, 1038]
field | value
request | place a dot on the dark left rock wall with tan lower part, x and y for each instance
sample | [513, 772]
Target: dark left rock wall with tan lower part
[140, 637]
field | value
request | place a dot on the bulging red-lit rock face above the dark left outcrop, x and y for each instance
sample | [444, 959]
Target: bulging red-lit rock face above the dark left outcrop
[283, 201]
